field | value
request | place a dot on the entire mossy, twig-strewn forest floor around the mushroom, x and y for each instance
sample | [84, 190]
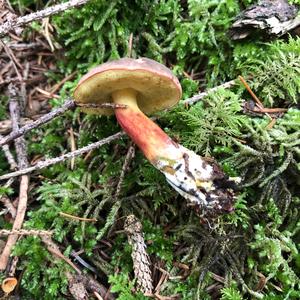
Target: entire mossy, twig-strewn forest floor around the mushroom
[83, 215]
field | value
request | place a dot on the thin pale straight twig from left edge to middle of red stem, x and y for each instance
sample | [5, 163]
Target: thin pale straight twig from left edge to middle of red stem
[46, 163]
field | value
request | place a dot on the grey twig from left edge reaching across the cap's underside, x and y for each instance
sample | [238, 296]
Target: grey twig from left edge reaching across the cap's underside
[69, 104]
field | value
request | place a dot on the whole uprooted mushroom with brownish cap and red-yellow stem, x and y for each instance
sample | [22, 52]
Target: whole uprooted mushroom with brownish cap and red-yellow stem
[146, 86]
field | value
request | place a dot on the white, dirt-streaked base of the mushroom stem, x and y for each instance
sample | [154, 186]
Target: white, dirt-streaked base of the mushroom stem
[196, 179]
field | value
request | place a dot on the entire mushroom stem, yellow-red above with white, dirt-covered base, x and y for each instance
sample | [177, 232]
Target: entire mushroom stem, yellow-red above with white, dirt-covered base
[198, 179]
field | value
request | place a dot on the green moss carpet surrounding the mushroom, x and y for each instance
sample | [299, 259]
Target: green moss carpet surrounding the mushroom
[258, 242]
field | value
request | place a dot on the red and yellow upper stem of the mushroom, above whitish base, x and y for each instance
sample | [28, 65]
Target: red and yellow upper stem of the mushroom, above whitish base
[149, 137]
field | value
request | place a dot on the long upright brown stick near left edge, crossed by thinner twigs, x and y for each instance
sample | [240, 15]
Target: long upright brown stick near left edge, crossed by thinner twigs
[24, 182]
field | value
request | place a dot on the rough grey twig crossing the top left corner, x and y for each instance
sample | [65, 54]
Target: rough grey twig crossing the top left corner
[21, 21]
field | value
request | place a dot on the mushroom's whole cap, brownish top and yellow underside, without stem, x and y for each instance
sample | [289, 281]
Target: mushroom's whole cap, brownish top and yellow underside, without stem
[157, 88]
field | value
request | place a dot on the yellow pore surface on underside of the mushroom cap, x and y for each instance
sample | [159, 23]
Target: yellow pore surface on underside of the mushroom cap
[154, 91]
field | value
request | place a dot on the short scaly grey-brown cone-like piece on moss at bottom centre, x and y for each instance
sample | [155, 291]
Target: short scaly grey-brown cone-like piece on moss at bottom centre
[141, 260]
